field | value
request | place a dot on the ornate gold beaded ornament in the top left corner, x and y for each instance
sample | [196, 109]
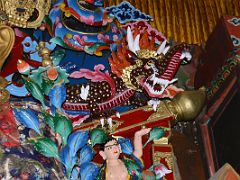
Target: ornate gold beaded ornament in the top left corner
[19, 12]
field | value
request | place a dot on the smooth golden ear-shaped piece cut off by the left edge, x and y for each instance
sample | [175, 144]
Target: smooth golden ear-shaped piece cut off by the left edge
[7, 39]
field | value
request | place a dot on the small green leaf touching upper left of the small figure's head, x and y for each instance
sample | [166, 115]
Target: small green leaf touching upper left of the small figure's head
[98, 136]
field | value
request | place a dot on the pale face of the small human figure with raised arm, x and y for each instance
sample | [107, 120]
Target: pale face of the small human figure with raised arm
[112, 150]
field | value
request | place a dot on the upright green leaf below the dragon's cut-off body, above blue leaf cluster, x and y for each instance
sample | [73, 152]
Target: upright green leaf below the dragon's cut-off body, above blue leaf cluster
[63, 126]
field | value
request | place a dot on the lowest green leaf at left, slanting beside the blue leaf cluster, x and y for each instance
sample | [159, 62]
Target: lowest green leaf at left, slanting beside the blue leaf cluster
[45, 146]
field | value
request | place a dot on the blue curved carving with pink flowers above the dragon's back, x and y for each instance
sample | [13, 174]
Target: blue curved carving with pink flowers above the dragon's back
[82, 26]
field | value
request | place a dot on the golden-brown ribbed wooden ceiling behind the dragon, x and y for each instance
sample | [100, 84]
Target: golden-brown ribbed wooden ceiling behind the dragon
[188, 21]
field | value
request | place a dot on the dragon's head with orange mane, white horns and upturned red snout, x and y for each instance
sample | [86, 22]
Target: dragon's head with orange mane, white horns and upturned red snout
[145, 66]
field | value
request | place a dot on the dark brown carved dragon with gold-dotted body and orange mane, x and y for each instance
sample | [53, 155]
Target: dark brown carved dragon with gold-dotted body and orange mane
[140, 72]
